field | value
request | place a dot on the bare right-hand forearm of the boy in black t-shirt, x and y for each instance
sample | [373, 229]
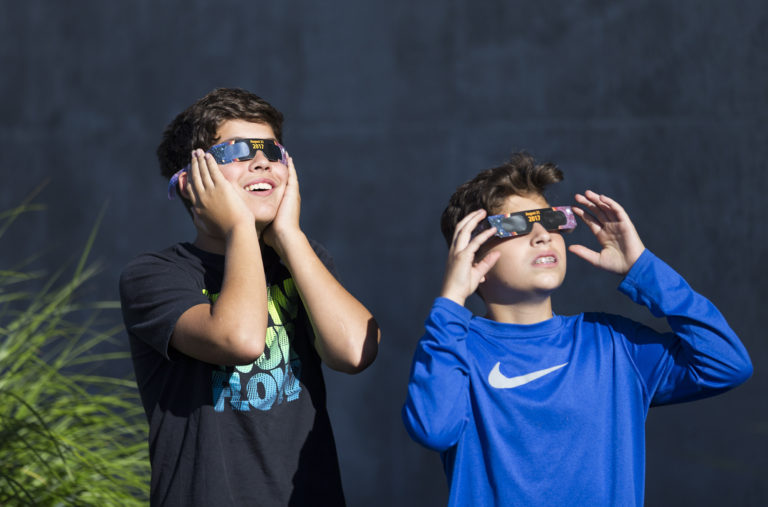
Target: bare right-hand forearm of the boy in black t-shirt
[347, 335]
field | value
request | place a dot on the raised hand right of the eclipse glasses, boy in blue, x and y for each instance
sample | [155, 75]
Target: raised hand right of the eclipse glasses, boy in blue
[621, 245]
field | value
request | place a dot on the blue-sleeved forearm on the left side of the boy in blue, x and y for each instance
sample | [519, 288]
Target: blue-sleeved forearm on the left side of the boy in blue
[436, 408]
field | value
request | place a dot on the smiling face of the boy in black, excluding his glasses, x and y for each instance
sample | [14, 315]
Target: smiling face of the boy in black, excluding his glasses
[261, 180]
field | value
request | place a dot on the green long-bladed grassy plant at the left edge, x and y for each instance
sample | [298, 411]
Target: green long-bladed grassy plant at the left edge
[69, 435]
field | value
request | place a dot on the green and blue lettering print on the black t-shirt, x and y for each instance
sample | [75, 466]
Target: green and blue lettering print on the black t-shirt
[273, 378]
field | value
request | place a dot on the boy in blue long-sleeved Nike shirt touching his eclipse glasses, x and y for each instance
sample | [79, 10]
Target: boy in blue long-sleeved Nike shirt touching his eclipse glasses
[528, 407]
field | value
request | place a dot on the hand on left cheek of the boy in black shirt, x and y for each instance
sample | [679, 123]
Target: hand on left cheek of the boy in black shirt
[217, 208]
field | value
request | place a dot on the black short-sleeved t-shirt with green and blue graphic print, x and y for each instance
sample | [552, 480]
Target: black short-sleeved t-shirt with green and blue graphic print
[220, 435]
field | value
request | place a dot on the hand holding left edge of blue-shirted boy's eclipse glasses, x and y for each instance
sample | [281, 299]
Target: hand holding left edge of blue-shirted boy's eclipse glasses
[462, 273]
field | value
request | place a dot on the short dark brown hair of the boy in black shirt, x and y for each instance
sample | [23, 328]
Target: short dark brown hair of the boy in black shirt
[196, 126]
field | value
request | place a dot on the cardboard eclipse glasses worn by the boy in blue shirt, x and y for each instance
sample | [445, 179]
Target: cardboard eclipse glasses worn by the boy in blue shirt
[518, 224]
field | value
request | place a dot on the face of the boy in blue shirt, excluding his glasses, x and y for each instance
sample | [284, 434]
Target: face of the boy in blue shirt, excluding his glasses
[530, 266]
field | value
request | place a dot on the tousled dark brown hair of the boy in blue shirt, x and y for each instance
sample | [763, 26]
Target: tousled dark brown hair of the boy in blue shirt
[520, 175]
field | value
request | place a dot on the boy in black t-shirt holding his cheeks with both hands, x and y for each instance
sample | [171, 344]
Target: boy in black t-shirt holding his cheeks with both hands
[228, 332]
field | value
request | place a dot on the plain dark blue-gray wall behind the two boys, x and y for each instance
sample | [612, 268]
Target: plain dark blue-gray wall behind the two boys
[390, 106]
